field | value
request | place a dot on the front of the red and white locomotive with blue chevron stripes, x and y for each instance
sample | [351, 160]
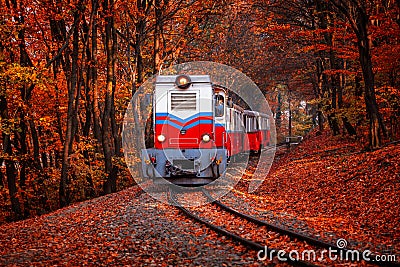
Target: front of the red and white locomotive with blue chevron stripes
[184, 149]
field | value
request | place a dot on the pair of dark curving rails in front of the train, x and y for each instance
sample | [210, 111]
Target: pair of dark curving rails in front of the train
[294, 236]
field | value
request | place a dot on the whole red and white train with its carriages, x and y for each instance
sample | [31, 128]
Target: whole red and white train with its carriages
[197, 130]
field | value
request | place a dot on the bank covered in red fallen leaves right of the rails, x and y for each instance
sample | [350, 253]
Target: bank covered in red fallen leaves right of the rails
[340, 190]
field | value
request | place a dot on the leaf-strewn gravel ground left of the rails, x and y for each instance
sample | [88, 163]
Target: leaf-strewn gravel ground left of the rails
[127, 228]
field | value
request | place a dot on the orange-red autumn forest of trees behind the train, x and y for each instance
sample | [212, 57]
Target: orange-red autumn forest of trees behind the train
[68, 70]
